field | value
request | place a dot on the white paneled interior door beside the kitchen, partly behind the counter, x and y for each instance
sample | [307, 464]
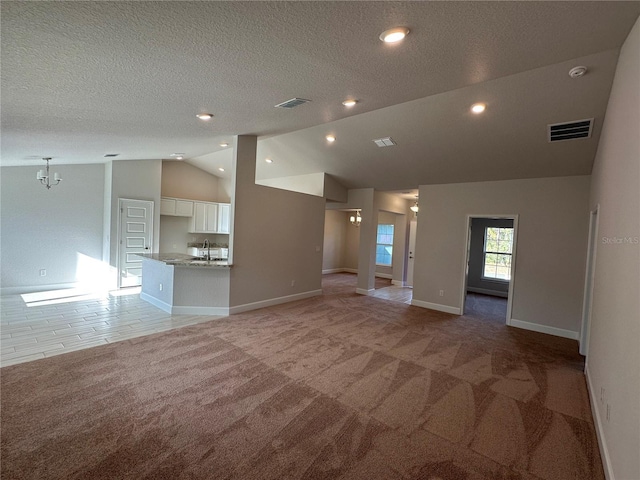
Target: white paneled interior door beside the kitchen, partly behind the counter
[135, 235]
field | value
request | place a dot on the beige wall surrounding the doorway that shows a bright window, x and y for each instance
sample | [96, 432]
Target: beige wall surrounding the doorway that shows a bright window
[551, 245]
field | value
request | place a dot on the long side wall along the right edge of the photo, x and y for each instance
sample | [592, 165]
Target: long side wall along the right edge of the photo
[613, 360]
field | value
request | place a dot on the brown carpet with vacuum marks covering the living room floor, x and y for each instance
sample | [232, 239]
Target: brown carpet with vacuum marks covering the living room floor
[340, 386]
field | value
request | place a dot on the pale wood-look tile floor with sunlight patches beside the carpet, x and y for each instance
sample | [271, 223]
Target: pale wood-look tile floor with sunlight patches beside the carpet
[35, 326]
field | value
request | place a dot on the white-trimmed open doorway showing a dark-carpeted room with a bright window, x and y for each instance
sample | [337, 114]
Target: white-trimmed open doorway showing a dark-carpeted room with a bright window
[489, 265]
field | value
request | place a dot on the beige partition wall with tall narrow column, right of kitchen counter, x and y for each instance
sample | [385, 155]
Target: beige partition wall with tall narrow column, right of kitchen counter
[277, 237]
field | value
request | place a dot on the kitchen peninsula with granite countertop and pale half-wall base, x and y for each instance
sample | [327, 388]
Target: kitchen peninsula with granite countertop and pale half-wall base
[185, 285]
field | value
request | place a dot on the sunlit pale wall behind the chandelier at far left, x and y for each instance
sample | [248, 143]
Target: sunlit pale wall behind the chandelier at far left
[54, 229]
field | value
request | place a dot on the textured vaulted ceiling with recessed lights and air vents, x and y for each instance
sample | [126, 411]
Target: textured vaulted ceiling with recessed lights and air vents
[83, 79]
